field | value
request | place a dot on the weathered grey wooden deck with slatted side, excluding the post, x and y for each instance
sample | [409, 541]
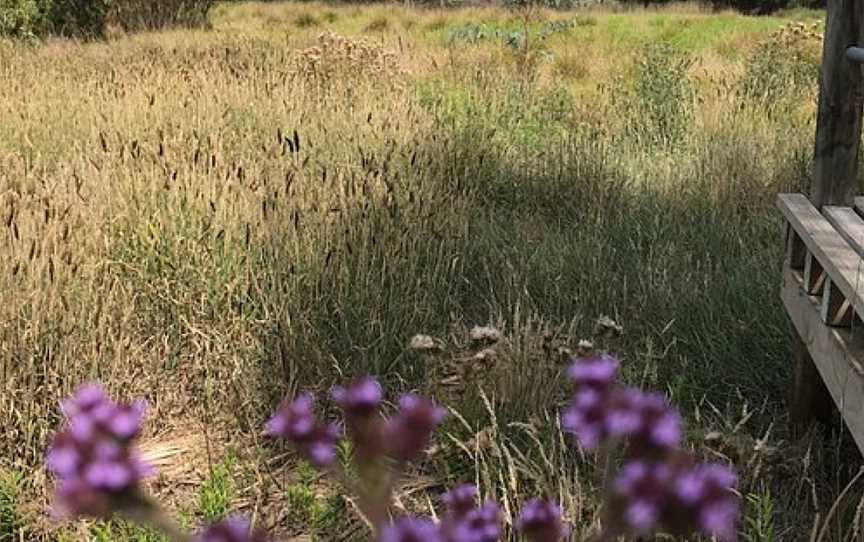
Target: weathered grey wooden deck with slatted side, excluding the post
[823, 291]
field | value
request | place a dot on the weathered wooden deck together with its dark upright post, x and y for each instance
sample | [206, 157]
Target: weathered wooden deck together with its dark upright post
[823, 240]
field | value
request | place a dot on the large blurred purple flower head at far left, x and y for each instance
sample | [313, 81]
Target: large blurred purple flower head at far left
[93, 458]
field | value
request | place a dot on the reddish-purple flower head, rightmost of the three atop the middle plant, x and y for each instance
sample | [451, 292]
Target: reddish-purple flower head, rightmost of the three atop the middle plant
[407, 434]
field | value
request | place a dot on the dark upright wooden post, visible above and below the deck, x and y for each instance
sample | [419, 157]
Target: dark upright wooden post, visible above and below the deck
[835, 172]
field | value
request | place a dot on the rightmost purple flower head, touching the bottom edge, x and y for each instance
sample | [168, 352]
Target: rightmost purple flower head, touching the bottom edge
[706, 492]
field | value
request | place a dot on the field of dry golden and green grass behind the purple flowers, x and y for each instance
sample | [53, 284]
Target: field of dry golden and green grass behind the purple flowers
[212, 220]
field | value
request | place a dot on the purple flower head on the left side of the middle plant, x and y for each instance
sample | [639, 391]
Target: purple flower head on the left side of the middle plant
[295, 421]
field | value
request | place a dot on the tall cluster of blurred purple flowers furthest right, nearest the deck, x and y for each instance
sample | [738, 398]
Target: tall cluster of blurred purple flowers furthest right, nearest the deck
[659, 486]
